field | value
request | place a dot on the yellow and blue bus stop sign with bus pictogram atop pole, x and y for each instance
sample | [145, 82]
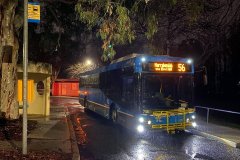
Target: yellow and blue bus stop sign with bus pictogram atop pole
[34, 12]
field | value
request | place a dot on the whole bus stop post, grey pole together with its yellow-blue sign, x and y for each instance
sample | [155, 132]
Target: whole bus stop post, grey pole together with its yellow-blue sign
[31, 14]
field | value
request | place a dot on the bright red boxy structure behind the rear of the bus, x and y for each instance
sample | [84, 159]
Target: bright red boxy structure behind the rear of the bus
[65, 87]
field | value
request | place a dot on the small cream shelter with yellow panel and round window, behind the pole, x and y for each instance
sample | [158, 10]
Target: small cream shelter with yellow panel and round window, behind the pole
[39, 79]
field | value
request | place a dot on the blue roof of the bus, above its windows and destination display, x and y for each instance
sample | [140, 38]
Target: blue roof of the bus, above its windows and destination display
[136, 61]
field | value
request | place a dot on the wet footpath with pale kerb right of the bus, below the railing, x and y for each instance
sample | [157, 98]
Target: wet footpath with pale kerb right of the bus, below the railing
[227, 135]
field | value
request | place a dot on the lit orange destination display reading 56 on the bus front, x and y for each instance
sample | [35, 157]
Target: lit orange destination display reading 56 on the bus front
[167, 67]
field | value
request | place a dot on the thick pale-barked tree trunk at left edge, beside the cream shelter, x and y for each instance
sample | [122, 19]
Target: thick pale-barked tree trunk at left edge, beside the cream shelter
[8, 59]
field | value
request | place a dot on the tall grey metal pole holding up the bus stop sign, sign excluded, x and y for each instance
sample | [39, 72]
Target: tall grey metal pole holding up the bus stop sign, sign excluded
[25, 77]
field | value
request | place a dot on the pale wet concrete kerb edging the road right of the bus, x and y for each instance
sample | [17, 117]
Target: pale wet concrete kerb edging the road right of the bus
[210, 136]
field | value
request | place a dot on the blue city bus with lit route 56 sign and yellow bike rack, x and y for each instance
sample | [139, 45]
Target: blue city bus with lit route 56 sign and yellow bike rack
[144, 92]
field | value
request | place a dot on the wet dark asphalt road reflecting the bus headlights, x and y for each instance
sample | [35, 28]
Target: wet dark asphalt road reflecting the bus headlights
[101, 140]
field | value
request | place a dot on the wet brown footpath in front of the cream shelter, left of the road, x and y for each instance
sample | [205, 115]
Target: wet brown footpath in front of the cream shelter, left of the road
[53, 134]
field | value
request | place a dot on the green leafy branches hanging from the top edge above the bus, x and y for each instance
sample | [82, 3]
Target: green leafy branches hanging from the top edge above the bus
[120, 21]
